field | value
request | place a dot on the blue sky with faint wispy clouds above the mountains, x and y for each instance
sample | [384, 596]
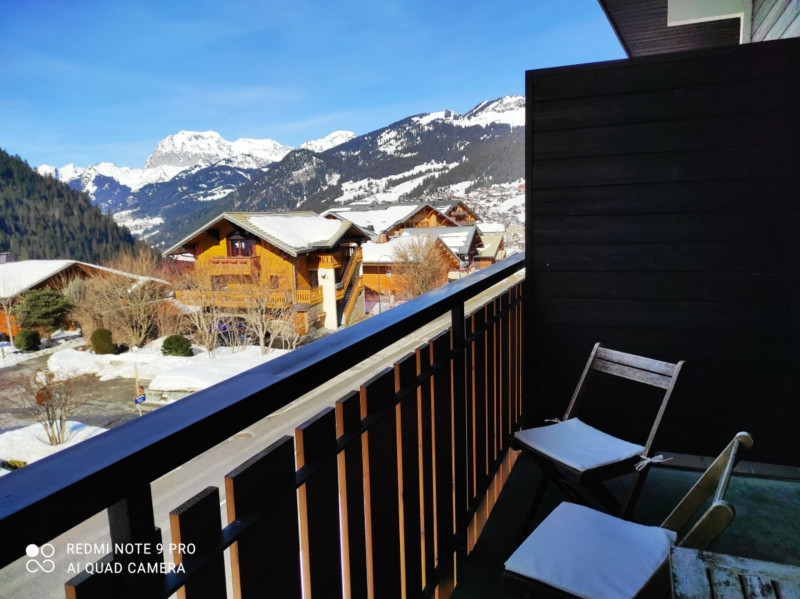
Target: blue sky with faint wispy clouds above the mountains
[103, 81]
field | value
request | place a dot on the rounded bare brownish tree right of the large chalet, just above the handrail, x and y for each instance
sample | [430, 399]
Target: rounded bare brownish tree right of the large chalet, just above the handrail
[420, 265]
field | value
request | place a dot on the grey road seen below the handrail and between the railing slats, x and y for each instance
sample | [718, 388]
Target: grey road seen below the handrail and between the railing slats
[210, 468]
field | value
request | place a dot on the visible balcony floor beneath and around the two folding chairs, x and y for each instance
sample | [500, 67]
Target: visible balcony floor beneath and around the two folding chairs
[766, 527]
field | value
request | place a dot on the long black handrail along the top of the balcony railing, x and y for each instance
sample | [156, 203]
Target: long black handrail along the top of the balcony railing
[47, 498]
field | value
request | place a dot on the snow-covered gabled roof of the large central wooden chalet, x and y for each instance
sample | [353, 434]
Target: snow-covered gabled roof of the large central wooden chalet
[295, 233]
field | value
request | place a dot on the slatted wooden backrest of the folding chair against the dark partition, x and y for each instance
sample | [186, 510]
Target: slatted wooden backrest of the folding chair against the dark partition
[629, 366]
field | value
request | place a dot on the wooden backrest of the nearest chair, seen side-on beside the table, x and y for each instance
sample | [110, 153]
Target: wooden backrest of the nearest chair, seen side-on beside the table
[720, 513]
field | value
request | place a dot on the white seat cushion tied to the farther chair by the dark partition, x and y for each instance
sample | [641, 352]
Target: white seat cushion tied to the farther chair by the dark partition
[578, 445]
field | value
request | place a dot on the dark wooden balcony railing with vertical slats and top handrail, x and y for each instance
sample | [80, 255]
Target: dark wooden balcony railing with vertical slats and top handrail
[380, 495]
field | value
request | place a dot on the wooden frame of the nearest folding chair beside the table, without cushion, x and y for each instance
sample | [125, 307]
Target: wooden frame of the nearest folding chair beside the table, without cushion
[714, 520]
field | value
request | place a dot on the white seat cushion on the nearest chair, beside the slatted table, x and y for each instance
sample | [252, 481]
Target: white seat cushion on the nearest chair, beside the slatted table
[590, 554]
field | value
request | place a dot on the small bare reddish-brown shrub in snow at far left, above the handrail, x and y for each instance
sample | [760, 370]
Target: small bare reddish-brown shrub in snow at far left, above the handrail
[50, 401]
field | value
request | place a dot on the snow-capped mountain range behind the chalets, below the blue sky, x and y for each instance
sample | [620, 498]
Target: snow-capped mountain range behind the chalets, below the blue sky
[192, 176]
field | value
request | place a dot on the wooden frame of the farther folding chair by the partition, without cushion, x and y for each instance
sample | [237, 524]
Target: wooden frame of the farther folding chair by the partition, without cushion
[624, 365]
